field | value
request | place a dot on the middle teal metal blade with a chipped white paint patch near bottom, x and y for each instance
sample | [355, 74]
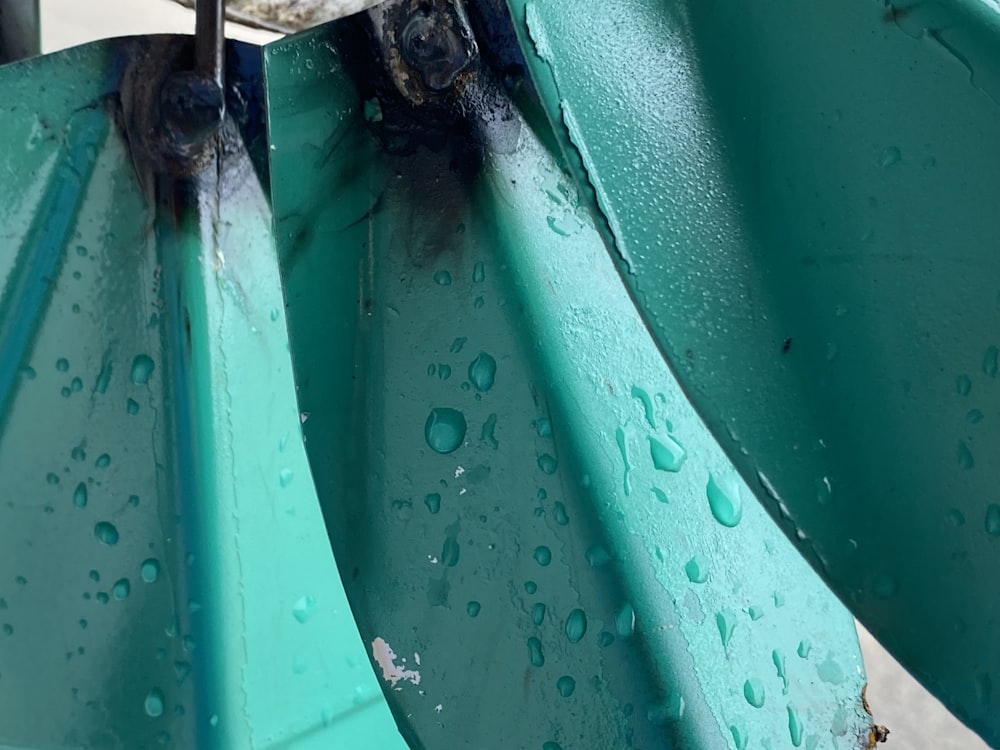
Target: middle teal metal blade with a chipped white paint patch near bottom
[543, 545]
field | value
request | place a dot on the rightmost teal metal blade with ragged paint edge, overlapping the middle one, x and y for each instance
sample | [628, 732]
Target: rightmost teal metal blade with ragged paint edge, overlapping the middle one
[801, 201]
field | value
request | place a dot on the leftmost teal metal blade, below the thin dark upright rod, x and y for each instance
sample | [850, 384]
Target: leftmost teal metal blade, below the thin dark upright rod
[165, 579]
